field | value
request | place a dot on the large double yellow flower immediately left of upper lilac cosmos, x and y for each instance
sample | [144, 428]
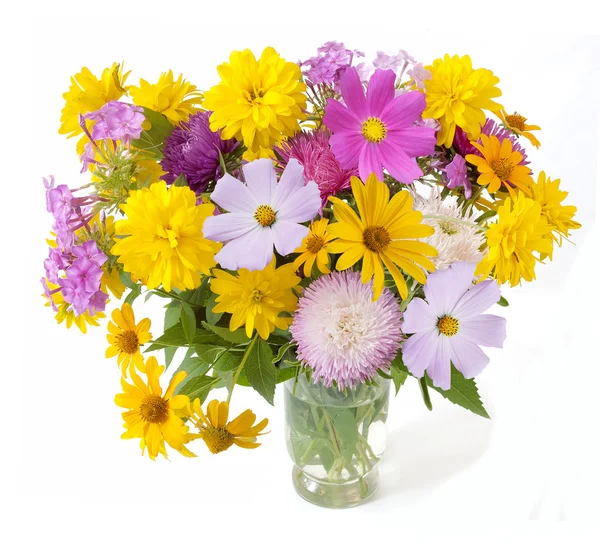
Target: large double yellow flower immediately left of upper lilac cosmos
[163, 241]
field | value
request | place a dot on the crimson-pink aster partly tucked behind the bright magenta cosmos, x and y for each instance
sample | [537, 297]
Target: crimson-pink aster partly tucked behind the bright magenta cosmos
[313, 152]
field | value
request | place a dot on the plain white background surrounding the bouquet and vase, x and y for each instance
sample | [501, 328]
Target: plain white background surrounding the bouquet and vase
[444, 473]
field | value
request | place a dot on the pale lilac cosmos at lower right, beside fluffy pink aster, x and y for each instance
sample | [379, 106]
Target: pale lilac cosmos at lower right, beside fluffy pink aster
[450, 325]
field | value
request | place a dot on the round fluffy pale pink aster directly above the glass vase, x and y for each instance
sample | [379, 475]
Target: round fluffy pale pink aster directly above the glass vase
[342, 334]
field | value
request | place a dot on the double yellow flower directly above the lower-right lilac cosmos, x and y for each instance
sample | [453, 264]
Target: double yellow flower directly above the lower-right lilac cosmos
[521, 230]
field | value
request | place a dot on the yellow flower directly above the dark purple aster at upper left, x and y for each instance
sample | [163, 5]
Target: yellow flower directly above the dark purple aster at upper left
[175, 99]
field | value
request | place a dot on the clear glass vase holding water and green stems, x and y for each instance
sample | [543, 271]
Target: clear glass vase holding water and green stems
[335, 440]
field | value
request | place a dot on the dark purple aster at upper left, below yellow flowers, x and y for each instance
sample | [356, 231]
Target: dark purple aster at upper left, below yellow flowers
[193, 149]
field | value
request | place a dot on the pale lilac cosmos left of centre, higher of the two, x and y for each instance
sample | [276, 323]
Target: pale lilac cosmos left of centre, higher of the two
[262, 214]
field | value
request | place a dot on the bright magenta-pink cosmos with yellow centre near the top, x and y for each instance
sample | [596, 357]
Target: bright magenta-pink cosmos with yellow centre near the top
[378, 131]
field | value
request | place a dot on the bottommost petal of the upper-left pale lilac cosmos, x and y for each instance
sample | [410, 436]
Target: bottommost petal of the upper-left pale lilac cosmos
[252, 251]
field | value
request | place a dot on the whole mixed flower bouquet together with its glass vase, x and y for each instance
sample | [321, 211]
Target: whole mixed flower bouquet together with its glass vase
[336, 225]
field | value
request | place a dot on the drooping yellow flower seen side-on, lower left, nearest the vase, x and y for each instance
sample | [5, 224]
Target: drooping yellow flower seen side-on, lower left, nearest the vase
[218, 434]
